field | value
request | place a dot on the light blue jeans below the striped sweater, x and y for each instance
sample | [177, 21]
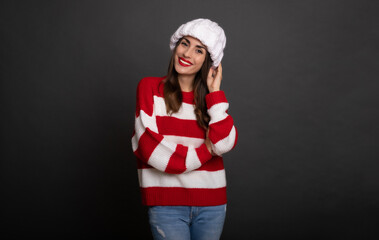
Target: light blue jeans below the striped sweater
[187, 223]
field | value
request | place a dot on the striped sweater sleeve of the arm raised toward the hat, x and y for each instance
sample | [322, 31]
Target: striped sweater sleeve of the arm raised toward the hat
[222, 132]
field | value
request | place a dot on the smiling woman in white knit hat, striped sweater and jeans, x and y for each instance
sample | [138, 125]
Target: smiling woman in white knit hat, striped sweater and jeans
[181, 130]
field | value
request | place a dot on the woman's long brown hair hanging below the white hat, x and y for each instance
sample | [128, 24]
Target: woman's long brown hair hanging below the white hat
[173, 94]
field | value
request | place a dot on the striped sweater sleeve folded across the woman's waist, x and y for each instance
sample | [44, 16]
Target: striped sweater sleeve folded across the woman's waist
[152, 148]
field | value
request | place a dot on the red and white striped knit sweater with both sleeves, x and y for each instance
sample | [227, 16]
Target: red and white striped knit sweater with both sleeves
[174, 164]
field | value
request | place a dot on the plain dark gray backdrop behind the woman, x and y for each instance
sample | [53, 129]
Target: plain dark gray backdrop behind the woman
[301, 78]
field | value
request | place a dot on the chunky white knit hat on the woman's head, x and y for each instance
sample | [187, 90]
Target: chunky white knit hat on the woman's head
[208, 32]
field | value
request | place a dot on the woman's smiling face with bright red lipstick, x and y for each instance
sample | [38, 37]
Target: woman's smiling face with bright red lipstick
[189, 56]
